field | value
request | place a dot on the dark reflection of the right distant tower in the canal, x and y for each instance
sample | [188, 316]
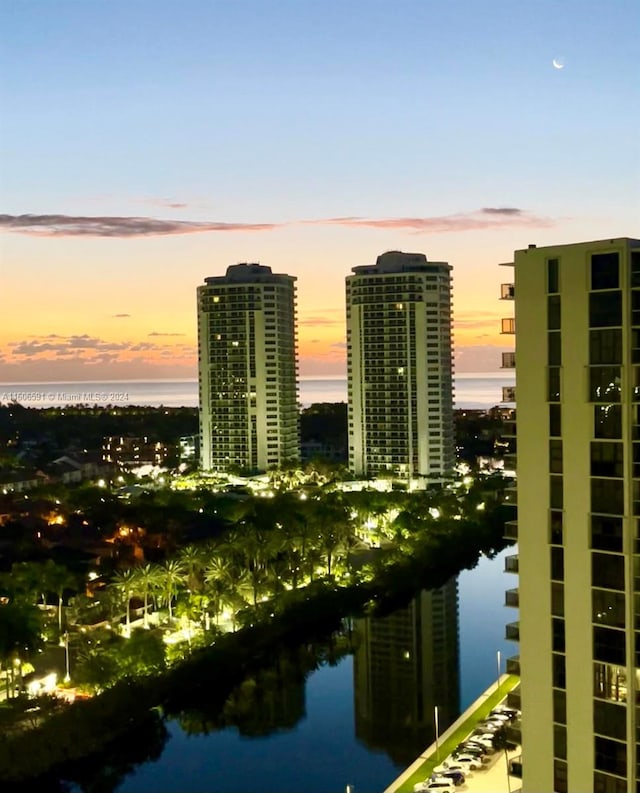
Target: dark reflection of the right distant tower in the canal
[406, 664]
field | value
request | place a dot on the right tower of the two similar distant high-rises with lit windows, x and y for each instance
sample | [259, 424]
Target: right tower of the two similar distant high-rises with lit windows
[400, 369]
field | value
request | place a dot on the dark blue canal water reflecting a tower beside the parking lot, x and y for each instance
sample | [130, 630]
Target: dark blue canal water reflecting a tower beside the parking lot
[361, 717]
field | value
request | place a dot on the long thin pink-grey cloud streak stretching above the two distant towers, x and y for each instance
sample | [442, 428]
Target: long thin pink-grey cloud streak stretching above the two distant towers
[124, 227]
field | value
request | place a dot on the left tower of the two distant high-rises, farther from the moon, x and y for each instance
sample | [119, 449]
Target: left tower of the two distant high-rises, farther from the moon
[247, 370]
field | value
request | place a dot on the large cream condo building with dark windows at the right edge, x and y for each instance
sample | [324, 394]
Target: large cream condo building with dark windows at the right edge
[578, 463]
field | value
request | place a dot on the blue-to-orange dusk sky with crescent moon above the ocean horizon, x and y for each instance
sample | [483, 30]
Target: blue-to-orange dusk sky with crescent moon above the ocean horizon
[146, 145]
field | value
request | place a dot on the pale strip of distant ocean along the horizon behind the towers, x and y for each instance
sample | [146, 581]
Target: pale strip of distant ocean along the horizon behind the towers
[473, 390]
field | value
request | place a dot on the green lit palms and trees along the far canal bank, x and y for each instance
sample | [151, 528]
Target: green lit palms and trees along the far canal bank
[275, 571]
